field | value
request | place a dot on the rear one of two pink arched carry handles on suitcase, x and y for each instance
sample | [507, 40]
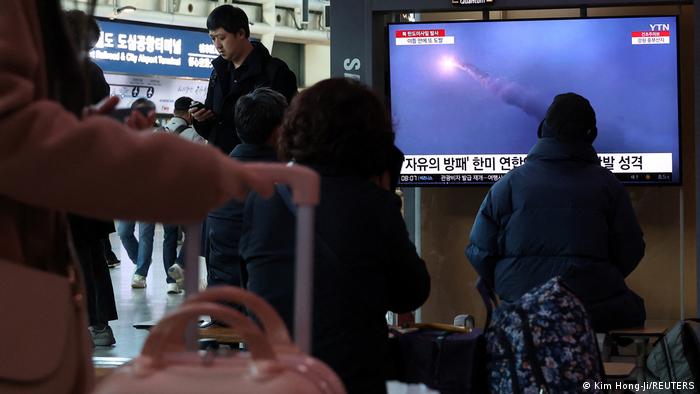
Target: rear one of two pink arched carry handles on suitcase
[273, 326]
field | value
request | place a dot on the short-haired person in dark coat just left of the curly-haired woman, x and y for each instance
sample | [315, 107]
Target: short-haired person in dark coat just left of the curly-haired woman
[258, 117]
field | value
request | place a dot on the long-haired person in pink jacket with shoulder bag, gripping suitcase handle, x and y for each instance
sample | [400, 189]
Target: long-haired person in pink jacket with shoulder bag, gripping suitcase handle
[53, 160]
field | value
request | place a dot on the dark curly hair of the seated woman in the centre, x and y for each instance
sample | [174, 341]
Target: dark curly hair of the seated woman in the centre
[340, 124]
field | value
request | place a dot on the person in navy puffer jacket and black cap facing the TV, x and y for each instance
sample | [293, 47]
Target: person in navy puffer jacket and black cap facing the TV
[562, 214]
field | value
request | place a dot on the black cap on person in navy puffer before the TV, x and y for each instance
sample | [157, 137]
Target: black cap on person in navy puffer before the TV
[569, 118]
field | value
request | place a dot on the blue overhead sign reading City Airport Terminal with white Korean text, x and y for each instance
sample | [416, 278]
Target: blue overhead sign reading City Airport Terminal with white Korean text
[135, 48]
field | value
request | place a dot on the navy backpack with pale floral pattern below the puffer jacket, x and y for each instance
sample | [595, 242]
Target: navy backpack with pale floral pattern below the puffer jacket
[543, 343]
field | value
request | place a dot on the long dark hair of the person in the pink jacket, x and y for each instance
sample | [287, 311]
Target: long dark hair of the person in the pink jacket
[64, 72]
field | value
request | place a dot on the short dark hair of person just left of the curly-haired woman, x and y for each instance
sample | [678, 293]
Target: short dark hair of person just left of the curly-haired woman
[259, 114]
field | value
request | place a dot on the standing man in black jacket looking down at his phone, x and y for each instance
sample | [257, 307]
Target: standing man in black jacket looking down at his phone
[241, 67]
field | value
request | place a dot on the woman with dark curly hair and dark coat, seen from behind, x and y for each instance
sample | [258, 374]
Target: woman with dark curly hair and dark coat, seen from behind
[365, 264]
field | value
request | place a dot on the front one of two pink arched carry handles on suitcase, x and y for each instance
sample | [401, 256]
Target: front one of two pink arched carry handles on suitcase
[171, 328]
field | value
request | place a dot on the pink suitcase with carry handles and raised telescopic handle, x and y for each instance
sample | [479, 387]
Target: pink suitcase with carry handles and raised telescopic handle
[169, 362]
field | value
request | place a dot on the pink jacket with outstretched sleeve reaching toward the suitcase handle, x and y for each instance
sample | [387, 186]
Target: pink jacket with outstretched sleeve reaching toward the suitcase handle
[51, 162]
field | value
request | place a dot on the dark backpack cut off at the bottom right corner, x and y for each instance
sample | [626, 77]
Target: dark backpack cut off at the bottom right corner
[675, 358]
